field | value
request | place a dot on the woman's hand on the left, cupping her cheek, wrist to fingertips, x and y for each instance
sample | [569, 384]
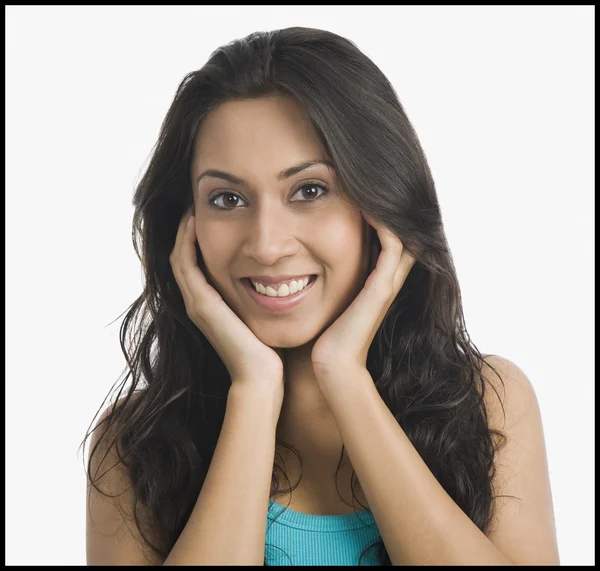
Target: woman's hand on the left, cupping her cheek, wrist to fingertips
[247, 359]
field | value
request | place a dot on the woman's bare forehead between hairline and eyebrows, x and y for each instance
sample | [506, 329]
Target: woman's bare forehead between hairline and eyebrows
[273, 130]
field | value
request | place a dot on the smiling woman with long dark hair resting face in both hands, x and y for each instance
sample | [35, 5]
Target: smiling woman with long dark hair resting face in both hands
[300, 365]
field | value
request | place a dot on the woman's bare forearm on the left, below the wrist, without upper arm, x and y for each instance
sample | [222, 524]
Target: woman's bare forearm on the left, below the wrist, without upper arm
[227, 525]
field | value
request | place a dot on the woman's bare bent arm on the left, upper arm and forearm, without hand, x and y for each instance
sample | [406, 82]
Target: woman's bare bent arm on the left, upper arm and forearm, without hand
[228, 522]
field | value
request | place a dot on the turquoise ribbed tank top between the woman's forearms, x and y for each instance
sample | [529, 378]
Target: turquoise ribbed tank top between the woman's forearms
[294, 538]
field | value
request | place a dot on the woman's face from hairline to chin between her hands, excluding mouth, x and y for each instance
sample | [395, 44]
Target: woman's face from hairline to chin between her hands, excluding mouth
[267, 225]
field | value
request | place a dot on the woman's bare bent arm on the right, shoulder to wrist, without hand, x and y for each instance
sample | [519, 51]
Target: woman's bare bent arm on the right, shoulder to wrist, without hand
[419, 522]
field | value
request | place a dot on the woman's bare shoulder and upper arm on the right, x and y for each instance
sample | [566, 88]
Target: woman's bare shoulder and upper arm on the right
[523, 525]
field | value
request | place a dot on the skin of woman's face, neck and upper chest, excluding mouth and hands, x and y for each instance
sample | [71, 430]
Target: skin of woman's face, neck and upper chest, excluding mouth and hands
[275, 227]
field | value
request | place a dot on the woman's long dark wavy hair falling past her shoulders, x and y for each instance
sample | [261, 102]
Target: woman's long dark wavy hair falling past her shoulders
[423, 363]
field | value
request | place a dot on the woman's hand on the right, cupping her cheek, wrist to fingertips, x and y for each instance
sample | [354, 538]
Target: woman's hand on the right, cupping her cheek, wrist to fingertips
[342, 349]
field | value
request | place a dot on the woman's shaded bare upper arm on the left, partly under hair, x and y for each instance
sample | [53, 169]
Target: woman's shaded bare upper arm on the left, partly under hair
[112, 537]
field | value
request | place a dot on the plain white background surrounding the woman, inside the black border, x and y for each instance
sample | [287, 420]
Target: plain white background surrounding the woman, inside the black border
[502, 100]
